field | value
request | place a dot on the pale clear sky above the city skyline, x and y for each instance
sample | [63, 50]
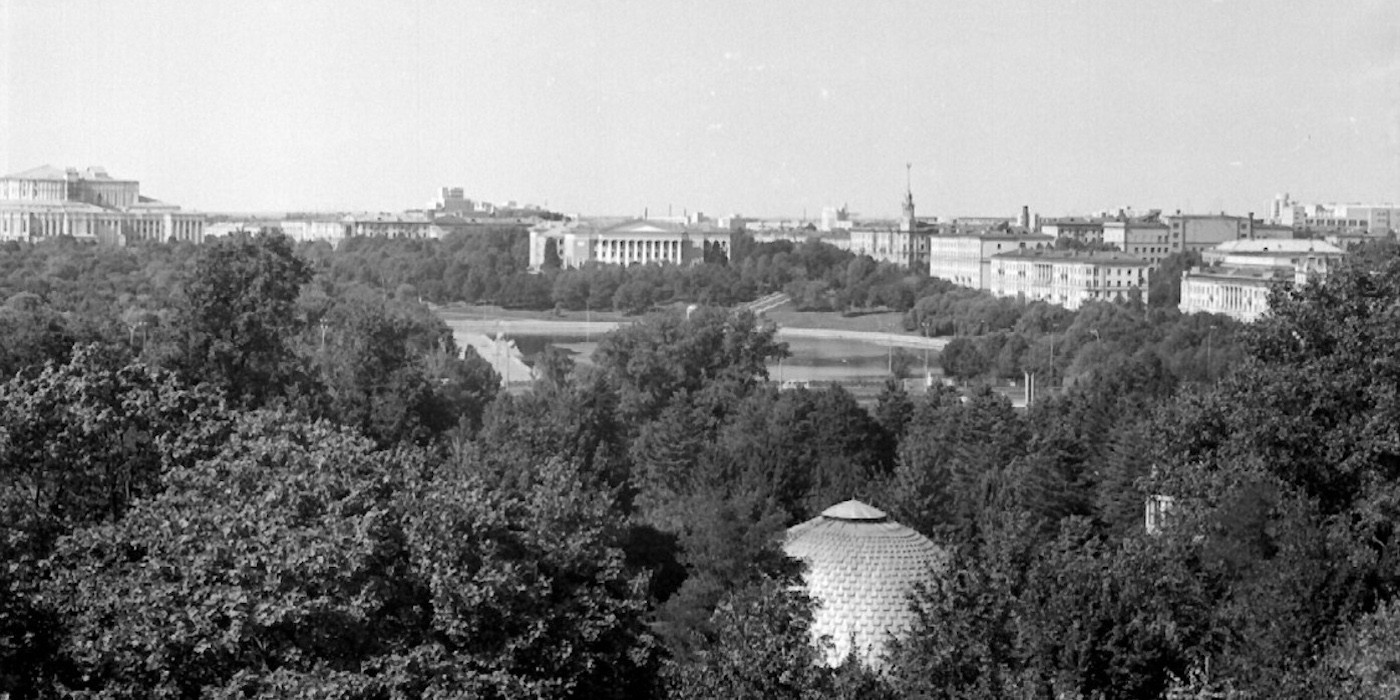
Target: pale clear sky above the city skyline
[765, 110]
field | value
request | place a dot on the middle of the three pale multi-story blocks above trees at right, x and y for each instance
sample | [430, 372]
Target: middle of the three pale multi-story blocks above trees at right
[1069, 278]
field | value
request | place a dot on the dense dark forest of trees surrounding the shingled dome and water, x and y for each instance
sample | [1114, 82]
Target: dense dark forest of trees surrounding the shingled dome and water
[253, 471]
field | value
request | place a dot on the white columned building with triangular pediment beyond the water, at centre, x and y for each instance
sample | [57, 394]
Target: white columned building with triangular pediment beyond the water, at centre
[629, 243]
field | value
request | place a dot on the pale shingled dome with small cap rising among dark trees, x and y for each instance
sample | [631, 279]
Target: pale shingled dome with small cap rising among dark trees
[862, 569]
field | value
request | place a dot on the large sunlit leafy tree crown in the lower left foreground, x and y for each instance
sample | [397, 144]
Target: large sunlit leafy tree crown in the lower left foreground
[299, 558]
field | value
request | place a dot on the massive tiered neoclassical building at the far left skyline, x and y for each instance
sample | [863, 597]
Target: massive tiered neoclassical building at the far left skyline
[89, 205]
